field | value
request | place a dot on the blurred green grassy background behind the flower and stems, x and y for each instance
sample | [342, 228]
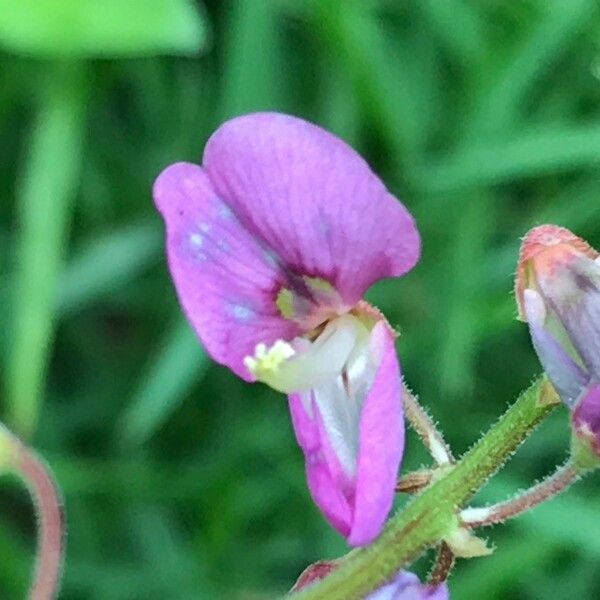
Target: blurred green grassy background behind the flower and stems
[180, 481]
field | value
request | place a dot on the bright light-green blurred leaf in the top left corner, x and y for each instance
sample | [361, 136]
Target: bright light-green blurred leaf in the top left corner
[101, 28]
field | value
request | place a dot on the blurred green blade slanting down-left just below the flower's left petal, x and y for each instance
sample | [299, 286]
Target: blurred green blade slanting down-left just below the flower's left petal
[179, 364]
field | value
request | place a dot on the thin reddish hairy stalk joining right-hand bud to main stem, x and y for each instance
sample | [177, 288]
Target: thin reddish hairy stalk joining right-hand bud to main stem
[563, 478]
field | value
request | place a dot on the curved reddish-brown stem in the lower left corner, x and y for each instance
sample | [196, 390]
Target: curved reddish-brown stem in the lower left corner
[16, 458]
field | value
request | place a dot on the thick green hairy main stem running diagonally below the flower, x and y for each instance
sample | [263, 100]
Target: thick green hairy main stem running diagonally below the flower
[432, 515]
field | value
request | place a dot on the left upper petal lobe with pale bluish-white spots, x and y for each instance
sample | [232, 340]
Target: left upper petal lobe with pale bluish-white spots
[225, 280]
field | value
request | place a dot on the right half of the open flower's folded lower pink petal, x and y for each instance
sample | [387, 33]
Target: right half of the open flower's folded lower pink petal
[381, 443]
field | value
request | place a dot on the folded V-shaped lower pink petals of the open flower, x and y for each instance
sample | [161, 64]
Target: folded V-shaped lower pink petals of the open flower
[357, 507]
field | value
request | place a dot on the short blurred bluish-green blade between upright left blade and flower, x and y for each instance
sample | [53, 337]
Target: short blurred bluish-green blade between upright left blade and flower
[107, 263]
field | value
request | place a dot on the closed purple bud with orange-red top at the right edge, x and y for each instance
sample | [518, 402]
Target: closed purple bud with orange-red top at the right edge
[558, 292]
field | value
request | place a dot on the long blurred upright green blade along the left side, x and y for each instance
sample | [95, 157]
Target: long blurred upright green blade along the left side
[45, 202]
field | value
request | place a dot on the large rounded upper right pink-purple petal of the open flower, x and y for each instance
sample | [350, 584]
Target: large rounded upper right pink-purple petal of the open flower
[313, 200]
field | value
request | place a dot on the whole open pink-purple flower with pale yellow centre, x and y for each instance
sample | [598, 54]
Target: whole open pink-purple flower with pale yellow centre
[272, 243]
